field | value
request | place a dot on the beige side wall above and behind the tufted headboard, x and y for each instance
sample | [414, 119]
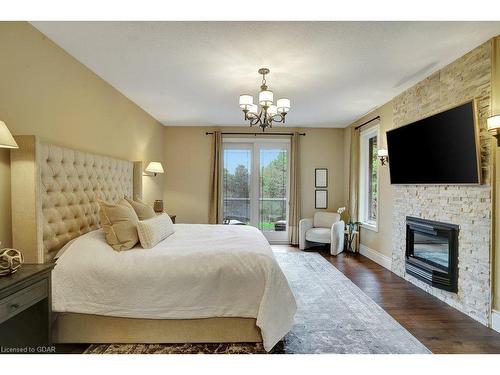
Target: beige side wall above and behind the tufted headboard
[46, 92]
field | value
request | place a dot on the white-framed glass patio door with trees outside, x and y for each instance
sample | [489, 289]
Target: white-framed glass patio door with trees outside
[256, 185]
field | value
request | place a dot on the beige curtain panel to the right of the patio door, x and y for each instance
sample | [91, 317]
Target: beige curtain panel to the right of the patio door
[294, 200]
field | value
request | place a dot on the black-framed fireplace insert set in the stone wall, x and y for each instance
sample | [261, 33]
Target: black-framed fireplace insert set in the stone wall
[432, 252]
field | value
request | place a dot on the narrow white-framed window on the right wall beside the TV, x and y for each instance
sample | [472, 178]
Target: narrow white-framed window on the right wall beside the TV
[368, 182]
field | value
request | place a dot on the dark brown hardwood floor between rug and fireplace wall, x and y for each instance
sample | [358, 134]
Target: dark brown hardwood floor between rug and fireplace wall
[441, 328]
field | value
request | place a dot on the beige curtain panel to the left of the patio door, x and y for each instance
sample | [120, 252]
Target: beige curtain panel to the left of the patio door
[215, 209]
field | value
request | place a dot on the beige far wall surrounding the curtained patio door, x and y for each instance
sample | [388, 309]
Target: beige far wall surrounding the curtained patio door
[187, 164]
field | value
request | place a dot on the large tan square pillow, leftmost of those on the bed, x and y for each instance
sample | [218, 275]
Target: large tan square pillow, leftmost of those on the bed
[119, 222]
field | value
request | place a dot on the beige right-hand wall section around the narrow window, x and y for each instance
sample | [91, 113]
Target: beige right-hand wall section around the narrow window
[380, 241]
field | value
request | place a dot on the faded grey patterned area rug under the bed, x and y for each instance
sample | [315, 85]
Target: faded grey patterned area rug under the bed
[334, 316]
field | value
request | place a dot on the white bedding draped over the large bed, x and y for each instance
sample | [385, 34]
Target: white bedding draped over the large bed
[200, 271]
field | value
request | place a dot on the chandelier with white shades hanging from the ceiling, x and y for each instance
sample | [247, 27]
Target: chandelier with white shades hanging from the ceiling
[268, 112]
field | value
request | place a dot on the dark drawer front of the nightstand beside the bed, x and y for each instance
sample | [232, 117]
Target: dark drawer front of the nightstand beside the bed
[21, 300]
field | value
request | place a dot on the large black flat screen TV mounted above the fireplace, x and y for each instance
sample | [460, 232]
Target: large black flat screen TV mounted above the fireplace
[440, 149]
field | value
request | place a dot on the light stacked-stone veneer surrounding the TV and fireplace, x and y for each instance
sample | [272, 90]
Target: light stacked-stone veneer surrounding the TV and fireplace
[470, 207]
